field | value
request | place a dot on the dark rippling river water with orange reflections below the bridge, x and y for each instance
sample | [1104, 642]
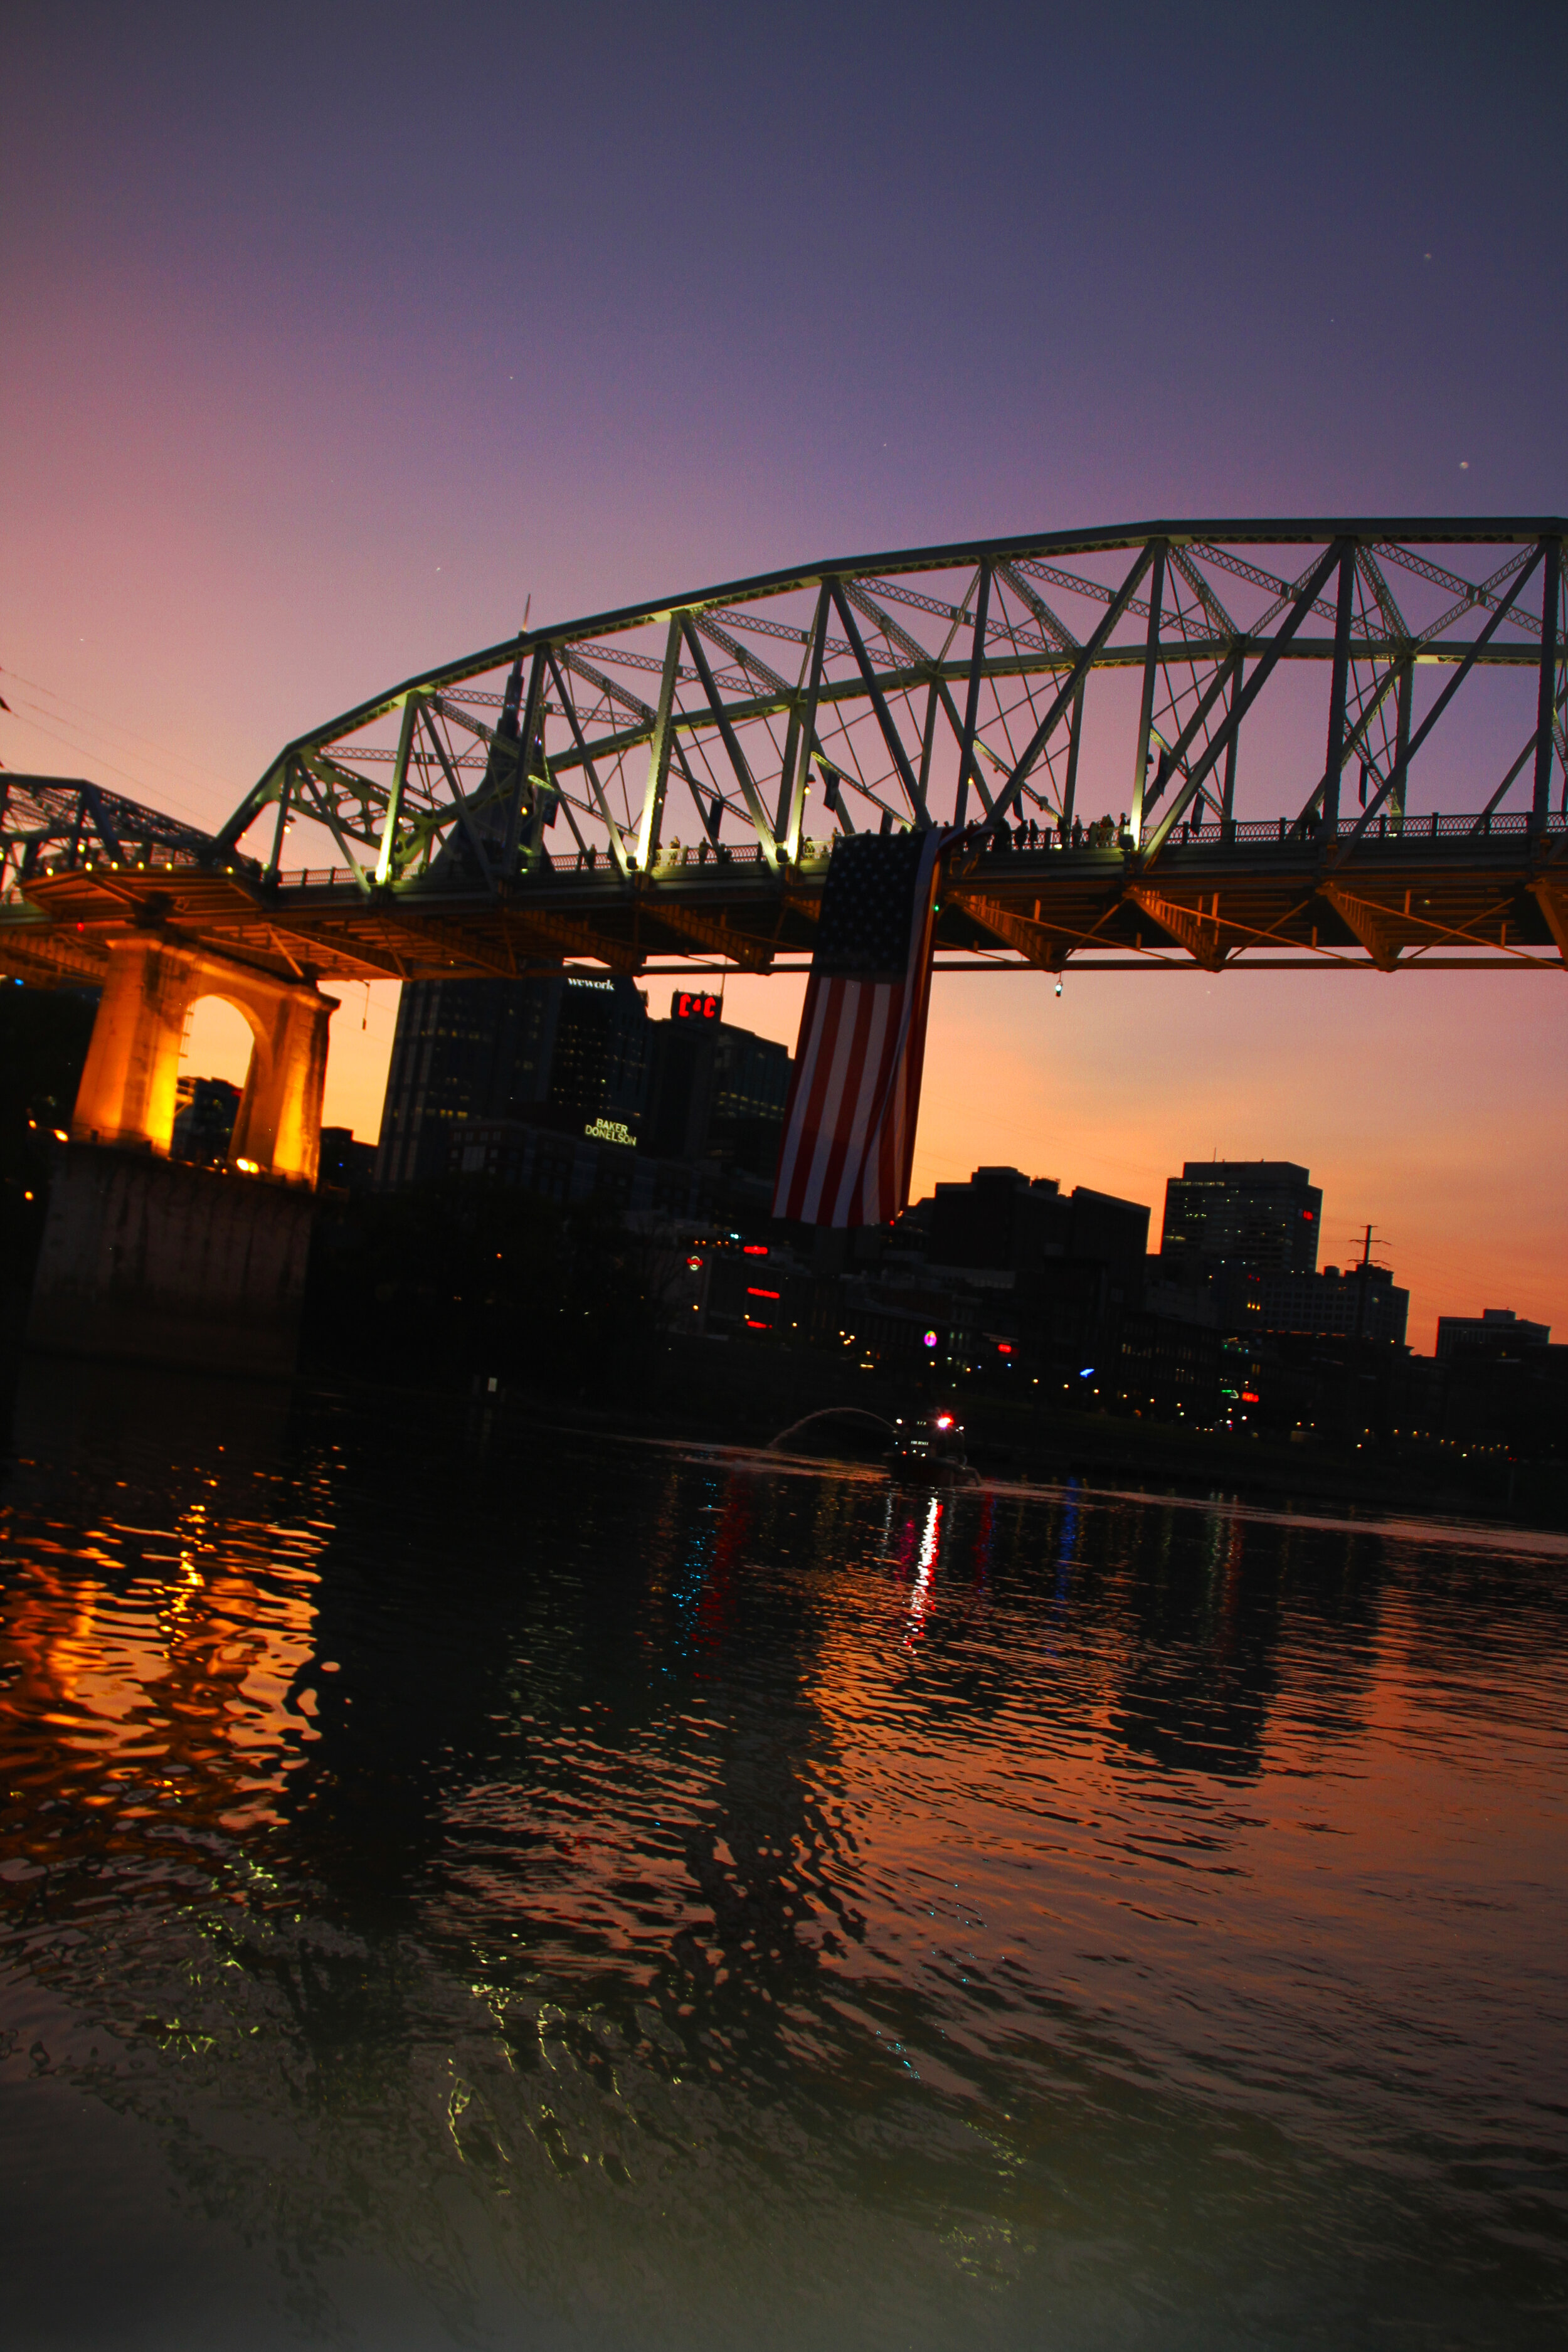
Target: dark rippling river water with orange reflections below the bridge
[495, 1887]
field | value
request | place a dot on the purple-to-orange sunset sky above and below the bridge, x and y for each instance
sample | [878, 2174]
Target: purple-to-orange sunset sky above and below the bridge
[337, 333]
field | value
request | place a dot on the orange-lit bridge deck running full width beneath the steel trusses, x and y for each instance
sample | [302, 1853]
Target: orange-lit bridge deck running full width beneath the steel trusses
[1247, 897]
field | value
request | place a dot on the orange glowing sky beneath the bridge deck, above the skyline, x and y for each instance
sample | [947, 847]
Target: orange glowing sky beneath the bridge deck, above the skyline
[1400, 1093]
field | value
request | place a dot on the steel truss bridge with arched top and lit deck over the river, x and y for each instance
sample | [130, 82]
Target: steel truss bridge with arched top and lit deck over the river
[1280, 719]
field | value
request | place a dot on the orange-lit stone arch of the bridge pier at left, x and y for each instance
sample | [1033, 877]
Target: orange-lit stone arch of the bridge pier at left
[128, 1090]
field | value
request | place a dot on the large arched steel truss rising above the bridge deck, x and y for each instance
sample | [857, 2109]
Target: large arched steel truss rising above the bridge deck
[939, 683]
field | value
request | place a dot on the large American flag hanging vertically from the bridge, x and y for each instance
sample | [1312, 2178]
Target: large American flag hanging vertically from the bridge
[855, 1095]
